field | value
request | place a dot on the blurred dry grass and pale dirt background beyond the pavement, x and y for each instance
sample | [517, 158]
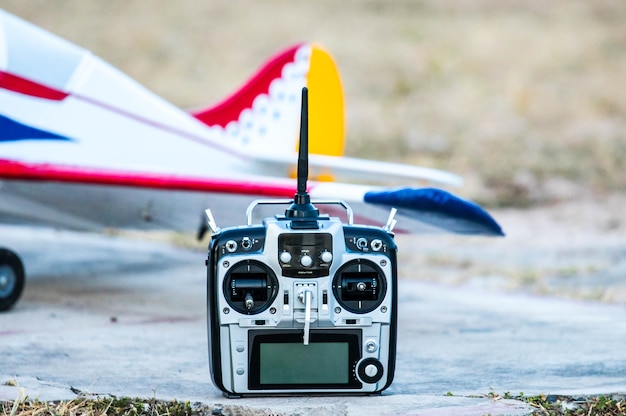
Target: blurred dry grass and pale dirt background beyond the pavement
[525, 99]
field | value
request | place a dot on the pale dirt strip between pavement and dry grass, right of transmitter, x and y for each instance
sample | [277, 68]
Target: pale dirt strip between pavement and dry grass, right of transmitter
[574, 249]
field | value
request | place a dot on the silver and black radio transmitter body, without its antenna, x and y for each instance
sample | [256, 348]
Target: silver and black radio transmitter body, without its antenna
[302, 307]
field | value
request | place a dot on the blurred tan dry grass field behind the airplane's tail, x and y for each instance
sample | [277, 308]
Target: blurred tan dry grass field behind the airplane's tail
[526, 99]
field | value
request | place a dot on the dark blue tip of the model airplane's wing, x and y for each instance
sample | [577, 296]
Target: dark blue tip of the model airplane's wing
[439, 208]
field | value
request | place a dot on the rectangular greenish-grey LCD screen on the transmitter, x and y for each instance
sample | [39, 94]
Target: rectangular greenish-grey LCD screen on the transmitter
[296, 363]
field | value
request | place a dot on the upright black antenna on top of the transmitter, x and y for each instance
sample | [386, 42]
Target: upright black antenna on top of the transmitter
[302, 207]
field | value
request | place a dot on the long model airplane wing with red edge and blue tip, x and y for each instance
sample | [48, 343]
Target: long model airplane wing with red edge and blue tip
[92, 200]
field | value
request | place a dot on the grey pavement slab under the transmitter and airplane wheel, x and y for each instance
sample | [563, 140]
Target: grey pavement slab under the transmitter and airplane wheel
[117, 316]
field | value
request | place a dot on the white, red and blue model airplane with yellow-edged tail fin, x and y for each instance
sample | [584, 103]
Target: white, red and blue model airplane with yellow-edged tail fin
[83, 146]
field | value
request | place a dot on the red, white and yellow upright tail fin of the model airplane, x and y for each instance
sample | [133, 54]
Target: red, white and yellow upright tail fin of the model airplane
[262, 116]
